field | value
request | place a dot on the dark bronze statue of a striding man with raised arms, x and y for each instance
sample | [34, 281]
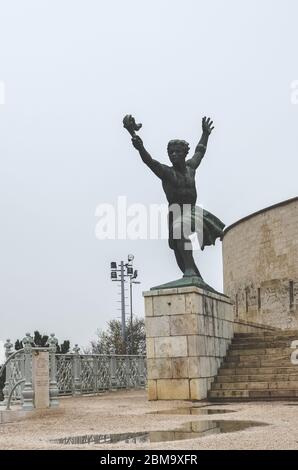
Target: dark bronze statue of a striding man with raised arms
[178, 182]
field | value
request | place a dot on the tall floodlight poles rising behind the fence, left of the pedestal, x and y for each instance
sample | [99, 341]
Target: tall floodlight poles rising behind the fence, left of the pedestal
[124, 270]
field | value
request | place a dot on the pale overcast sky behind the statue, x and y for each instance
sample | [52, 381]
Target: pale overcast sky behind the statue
[72, 69]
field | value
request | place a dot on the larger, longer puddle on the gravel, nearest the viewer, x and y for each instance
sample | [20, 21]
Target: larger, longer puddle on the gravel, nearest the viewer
[191, 430]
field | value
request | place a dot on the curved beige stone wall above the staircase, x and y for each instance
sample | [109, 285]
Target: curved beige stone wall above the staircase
[260, 260]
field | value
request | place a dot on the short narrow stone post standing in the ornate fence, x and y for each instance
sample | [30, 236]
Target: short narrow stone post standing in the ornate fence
[40, 379]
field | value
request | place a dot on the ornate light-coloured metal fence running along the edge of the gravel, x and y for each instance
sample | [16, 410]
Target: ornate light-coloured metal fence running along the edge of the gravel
[74, 373]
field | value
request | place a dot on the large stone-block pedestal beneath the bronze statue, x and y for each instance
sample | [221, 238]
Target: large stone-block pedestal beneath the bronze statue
[188, 331]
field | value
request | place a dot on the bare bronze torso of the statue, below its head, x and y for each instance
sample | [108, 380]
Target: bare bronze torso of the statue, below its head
[180, 187]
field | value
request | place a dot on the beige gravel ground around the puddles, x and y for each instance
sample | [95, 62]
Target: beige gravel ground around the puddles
[128, 411]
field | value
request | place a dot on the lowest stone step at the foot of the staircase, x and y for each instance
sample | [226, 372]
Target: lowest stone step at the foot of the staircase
[215, 395]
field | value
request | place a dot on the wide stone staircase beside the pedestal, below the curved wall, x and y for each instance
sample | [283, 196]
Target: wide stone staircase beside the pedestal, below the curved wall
[258, 367]
